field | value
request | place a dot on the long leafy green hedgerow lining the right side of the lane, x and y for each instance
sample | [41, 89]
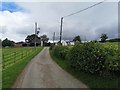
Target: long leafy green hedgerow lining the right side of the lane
[92, 58]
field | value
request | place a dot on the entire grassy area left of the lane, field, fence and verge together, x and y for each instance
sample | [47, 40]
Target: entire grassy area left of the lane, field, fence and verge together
[14, 61]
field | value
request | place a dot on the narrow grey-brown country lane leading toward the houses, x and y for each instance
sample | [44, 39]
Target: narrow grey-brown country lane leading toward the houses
[43, 72]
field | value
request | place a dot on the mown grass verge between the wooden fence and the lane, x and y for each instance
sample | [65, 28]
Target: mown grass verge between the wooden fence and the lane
[10, 75]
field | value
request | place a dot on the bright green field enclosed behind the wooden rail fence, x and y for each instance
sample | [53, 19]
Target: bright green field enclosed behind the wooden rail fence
[13, 55]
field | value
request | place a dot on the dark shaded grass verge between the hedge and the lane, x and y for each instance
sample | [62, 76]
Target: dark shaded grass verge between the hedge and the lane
[92, 81]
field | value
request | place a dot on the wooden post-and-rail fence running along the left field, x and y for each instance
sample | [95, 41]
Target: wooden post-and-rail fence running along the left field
[16, 56]
